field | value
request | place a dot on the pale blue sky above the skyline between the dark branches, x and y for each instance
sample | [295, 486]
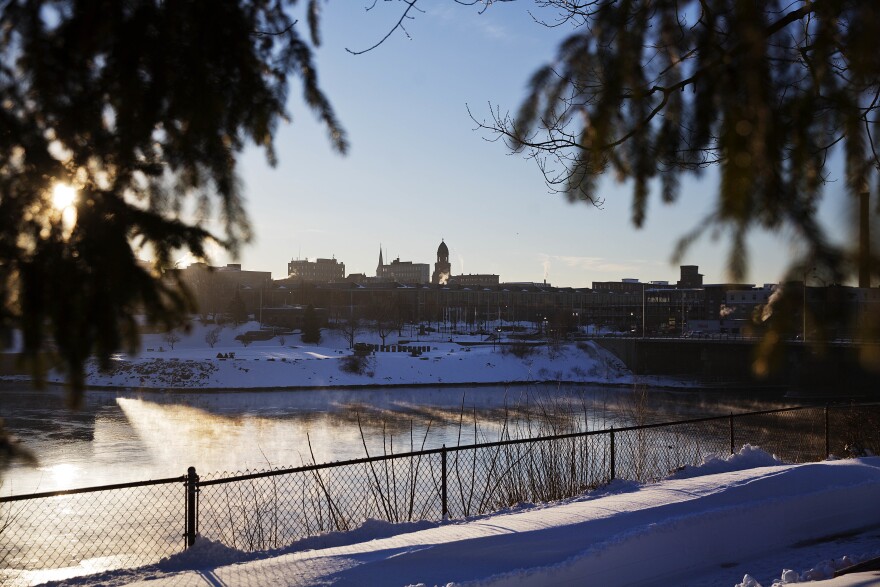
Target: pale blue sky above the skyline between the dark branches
[418, 171]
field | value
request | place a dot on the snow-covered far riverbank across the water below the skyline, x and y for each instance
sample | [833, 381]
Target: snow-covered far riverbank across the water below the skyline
[287, 362]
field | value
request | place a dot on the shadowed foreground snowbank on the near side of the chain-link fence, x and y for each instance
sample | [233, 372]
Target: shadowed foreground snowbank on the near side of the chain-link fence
[745, 520]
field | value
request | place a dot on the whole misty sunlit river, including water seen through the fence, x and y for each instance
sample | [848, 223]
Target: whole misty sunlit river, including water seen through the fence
[120, 437]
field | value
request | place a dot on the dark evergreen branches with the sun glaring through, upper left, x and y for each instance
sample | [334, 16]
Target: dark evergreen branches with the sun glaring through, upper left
[136, 109]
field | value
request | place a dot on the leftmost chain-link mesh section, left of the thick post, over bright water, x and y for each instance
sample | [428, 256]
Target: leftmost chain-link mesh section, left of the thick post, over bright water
[74, 534]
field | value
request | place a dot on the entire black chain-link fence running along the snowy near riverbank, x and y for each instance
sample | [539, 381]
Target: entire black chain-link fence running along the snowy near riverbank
[67, 533]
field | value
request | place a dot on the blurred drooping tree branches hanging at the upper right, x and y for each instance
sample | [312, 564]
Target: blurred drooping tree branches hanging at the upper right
[771, 94]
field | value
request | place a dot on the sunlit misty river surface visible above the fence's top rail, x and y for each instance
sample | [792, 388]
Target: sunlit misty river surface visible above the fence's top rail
[120, 437]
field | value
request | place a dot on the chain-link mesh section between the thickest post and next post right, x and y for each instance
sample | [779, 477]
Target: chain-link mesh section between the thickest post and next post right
[277, 509]
